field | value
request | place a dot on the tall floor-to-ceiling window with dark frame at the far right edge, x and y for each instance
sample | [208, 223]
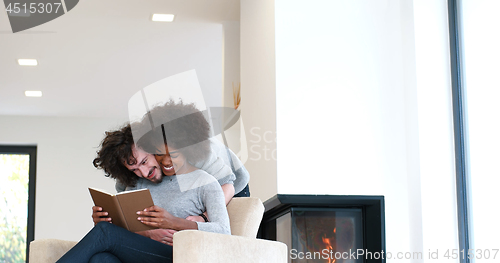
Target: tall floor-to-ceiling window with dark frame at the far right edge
[474, 62]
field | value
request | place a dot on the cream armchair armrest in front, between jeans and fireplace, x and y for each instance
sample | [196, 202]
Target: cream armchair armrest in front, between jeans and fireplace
[198, 246]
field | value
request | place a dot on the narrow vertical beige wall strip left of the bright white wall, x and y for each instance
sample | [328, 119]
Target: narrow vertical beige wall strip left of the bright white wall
[258, 94]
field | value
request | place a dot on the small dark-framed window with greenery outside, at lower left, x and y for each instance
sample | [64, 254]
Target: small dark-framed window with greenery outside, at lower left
[17, 189]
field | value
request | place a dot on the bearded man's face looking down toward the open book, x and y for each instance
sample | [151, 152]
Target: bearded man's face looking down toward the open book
[145, 166]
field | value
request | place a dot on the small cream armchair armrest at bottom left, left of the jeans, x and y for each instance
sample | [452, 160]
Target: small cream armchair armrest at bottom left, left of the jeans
[49, 250]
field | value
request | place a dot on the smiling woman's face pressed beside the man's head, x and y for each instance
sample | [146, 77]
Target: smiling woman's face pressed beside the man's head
[173, 162]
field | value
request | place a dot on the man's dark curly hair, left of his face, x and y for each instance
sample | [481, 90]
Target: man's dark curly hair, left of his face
[116, 149]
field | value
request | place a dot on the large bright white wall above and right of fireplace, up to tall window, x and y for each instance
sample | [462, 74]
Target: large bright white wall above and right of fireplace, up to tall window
[363, 107]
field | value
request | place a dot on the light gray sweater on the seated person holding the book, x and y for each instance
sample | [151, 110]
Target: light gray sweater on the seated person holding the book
[190, 194]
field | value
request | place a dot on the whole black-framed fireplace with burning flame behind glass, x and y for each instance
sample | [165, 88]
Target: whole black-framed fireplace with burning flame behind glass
[327, 228]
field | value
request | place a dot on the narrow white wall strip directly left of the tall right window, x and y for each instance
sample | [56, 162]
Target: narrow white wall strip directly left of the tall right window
[435, 118]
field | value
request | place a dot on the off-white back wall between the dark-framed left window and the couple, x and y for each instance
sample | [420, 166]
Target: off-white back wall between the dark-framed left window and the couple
[65, 150]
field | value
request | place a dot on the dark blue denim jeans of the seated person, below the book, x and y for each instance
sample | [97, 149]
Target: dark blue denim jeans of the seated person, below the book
[109, 243]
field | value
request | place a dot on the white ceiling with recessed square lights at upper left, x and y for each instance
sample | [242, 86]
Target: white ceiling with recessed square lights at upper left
[95, 57]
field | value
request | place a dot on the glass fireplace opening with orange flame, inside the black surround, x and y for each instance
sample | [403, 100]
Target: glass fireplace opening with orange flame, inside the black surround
[323, 232]
